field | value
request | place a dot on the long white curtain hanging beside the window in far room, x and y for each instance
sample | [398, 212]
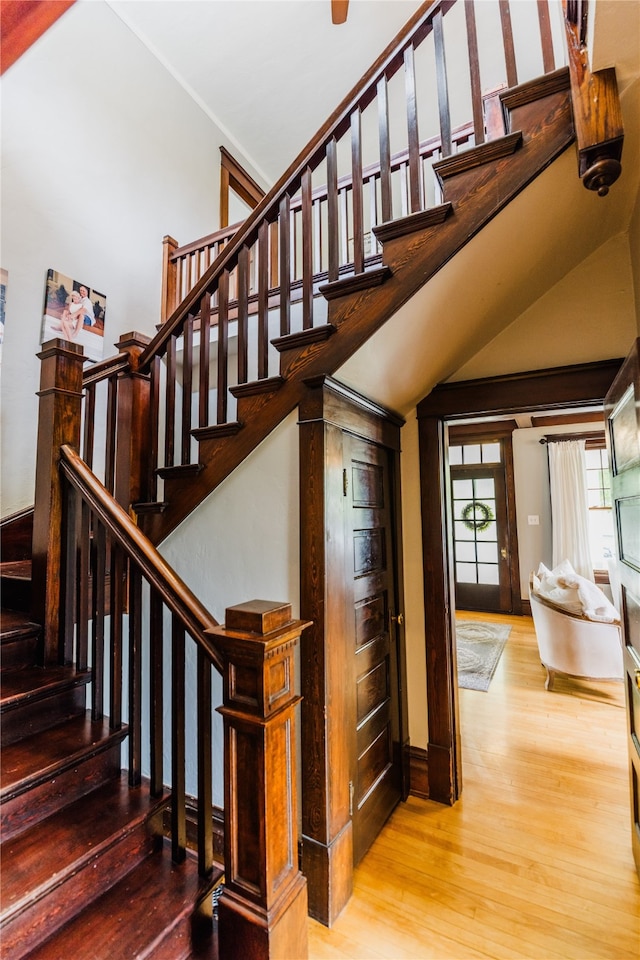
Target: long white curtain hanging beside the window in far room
[569, 505]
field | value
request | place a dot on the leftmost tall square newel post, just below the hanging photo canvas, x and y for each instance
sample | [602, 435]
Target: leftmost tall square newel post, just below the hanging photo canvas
[59, 417]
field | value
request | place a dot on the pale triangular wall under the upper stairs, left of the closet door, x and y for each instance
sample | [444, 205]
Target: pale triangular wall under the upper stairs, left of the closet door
[242, 543]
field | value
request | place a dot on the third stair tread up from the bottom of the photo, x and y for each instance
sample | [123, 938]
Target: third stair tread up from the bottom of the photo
[63, 745]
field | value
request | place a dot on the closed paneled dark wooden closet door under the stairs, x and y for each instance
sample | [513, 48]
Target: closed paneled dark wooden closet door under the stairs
[372, 614]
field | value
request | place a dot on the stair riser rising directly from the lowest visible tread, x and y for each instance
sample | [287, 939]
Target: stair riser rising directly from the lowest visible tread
[26, 930]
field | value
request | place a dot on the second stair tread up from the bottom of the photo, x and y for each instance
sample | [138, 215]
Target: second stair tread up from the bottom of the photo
[44, 854]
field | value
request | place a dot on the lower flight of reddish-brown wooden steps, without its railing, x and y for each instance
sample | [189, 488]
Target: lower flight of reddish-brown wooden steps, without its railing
[84, 871]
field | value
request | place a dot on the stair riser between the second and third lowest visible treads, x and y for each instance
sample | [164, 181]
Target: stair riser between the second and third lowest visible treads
[22, 811]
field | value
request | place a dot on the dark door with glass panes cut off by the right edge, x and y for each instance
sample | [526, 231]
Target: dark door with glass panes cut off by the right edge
[622, 413]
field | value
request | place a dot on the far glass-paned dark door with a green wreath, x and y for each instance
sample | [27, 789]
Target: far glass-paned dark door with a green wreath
[481, 538]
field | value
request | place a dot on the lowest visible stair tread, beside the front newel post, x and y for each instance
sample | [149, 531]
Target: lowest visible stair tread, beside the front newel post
[130, 919]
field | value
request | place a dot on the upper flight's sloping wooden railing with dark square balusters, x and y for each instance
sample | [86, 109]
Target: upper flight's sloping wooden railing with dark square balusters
[248, 313]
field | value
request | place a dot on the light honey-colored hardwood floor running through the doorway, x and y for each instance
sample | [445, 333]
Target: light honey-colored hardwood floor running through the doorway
[534, 861]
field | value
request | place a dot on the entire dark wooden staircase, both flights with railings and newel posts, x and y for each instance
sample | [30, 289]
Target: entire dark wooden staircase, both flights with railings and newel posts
[84, 846]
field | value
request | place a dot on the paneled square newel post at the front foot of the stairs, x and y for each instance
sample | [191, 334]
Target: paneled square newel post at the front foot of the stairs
[262, 912]
